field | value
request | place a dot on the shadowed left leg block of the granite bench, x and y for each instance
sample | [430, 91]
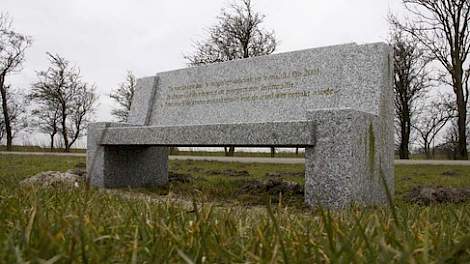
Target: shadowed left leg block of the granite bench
[124, 166]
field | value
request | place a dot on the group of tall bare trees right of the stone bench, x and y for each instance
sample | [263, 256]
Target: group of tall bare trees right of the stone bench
[436, 32]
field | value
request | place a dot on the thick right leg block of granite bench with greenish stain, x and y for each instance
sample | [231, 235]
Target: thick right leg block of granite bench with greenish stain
[349, 161]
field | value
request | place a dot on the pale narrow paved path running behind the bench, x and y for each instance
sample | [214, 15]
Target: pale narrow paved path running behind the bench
[250, 159]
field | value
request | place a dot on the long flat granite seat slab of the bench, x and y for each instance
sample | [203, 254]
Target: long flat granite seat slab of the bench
[279, 134]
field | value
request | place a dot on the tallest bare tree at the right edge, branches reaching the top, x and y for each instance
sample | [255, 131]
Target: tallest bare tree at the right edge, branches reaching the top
[442, 27]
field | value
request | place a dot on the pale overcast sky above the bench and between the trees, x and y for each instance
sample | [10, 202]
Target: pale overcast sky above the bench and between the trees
[107, 38]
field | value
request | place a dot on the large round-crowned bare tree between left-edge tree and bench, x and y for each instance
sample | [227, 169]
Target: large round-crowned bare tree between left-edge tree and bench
[62, 88]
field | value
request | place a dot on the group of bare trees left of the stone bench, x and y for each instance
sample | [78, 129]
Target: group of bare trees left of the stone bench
[61, 102]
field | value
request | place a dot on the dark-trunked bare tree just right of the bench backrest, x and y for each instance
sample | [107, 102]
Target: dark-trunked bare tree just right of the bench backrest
[410, 83]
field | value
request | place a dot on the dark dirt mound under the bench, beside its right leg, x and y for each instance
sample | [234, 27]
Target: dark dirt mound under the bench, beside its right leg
[272, 186]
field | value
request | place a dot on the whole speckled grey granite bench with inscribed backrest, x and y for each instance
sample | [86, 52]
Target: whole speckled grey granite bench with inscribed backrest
[336, 102]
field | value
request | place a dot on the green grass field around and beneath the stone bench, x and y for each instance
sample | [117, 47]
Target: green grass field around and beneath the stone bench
[211, 213]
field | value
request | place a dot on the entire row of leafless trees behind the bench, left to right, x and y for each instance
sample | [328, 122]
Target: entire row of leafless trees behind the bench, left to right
[435, 33]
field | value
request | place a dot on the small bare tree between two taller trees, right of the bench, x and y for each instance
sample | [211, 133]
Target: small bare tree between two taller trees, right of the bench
[432, 120]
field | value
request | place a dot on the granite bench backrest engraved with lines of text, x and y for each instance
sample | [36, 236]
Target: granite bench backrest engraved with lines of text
[273, 88]
